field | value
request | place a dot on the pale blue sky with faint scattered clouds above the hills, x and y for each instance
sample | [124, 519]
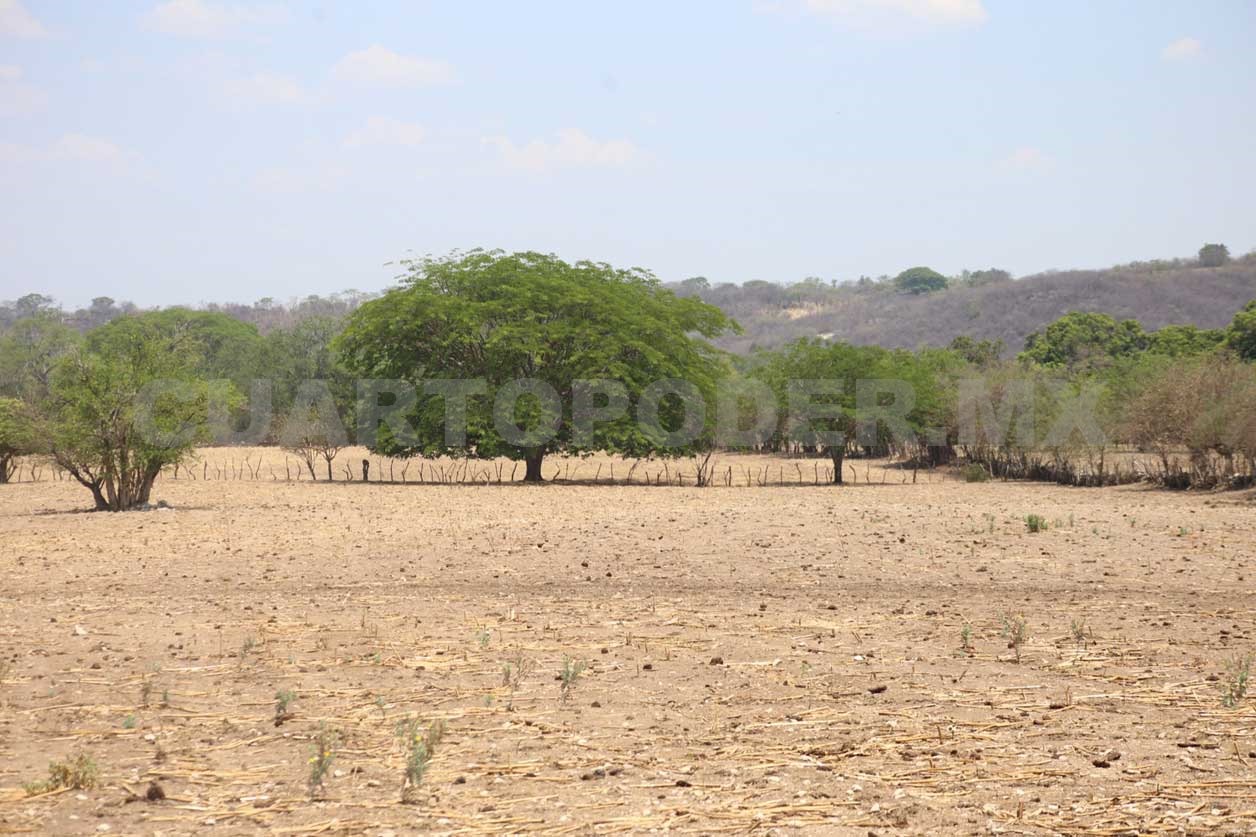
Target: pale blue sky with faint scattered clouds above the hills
[194, 151]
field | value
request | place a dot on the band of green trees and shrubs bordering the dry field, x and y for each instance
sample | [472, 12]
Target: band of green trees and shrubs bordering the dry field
[512, 344]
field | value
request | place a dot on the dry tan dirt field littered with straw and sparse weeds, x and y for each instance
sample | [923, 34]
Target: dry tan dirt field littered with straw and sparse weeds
[771, 659]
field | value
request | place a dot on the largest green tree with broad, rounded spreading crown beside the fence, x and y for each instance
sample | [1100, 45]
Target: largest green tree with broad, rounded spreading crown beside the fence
[518, 330]
